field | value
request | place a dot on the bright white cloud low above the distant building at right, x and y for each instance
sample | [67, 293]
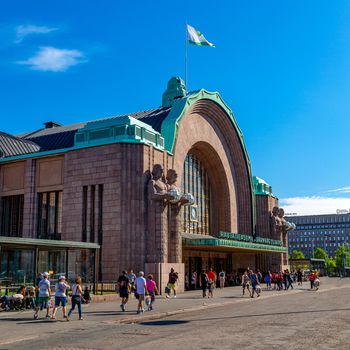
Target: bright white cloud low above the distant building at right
[314, 205]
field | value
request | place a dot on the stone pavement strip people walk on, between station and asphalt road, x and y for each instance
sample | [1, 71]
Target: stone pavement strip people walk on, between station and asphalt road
[17, 327]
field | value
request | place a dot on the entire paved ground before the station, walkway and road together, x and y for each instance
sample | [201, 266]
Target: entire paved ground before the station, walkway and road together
[298, 319]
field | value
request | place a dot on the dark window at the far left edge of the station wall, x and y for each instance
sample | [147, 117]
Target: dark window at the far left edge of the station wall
[12, 216]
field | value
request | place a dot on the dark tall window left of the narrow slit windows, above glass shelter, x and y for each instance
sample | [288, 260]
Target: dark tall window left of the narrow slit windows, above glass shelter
[50, 215]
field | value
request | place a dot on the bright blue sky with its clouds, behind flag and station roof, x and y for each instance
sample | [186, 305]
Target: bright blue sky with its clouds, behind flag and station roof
[283, 67]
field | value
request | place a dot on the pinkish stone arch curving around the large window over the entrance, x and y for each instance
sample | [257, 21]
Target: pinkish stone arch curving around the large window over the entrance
[207, 128]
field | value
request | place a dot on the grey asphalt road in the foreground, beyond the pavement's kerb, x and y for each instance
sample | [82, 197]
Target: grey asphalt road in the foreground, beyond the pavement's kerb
[300, 320]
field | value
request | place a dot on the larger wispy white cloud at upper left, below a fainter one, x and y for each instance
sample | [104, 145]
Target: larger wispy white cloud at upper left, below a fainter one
[54, 60]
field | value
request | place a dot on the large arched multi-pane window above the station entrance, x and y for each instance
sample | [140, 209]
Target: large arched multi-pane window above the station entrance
[196, 219]
